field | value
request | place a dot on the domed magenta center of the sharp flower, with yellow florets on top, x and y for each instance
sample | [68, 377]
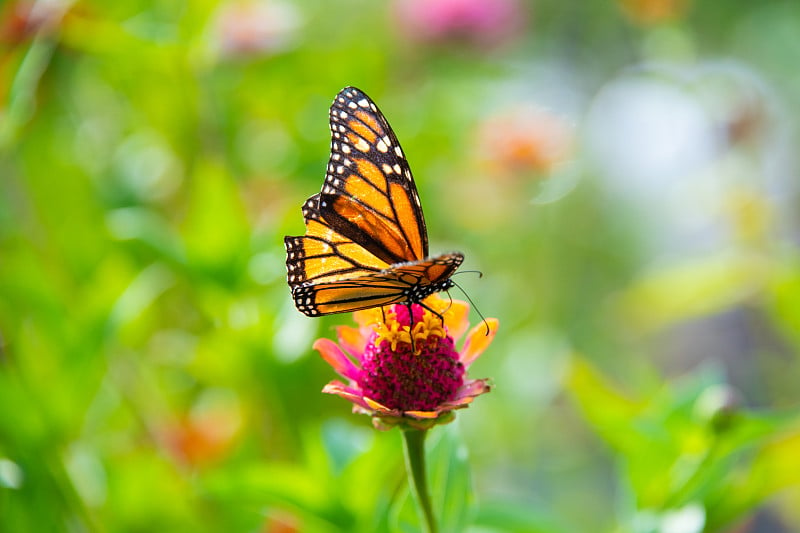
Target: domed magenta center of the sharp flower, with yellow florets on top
[411, 368]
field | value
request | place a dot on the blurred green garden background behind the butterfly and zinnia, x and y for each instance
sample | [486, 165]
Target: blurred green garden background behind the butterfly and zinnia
[623, 172]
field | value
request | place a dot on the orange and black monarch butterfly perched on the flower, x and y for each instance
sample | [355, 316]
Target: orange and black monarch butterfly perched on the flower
[366, 244]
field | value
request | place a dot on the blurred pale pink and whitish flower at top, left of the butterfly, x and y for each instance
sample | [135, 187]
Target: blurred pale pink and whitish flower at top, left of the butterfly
[256, 27]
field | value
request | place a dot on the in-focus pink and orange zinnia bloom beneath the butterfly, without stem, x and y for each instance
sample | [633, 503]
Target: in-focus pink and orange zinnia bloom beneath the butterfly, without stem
[404, 374]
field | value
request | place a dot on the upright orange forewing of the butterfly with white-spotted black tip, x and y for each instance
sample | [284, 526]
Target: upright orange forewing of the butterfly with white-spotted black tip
[369, 195]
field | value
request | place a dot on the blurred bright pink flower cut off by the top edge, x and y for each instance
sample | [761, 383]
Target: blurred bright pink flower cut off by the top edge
[479, 22]
